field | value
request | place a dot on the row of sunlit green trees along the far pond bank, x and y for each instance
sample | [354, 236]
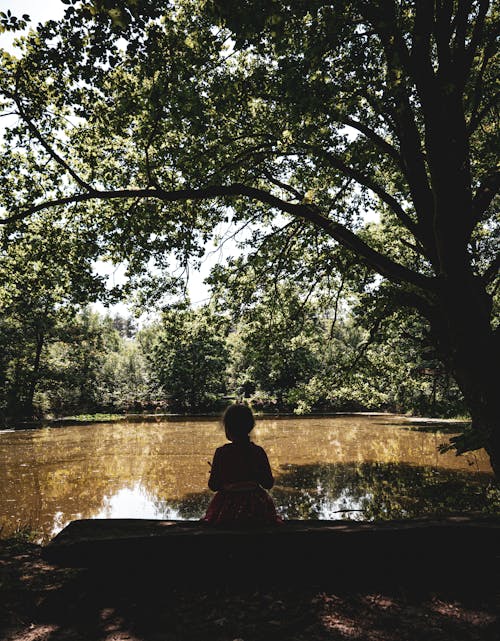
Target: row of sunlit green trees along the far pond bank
[285, 354]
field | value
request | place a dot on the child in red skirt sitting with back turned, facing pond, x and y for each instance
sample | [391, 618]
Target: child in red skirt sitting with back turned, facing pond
[239, 473]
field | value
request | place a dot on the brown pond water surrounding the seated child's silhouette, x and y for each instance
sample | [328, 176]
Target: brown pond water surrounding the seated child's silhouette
[363, 466]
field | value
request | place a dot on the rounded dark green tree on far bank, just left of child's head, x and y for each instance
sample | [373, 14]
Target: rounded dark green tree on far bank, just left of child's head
[189, 358]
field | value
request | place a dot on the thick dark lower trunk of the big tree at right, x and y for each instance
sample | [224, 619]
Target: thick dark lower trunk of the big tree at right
[468, 344]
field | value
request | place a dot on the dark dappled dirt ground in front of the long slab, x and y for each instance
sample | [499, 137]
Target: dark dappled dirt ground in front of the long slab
[39, 602]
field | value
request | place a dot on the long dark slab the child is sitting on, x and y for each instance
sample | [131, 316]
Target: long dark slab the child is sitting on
[456, 548]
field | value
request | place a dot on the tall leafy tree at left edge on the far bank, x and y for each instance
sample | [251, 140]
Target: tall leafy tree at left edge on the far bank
[45, 275]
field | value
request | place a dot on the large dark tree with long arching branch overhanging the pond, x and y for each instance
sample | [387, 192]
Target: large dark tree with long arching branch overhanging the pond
[317, 112]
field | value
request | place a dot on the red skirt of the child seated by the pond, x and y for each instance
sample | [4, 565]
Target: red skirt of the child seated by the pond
[241, 507]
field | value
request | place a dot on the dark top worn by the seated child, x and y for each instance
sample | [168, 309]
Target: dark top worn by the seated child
[240, 462]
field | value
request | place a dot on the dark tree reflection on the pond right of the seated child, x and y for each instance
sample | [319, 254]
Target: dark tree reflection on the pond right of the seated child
[367, 491]
